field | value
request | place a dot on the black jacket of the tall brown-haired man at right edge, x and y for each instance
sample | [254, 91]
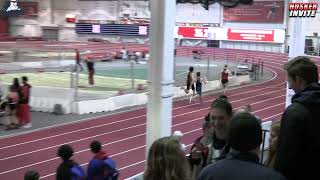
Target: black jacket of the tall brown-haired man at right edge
[299, 142]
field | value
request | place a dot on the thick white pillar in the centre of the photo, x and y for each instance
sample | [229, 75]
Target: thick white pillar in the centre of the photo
[159, 113]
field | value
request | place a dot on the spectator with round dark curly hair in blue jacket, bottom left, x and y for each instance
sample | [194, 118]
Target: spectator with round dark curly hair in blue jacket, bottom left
[68, 169]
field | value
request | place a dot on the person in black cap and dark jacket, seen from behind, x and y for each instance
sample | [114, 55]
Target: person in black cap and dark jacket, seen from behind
[242, 162]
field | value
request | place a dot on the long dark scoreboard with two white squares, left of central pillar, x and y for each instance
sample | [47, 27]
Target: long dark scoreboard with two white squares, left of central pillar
[113, 29]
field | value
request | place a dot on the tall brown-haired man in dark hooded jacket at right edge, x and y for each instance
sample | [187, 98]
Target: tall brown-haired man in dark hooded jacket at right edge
[299, 140]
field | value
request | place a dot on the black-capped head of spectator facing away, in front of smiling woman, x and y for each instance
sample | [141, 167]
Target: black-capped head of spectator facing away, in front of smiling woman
[245, 132]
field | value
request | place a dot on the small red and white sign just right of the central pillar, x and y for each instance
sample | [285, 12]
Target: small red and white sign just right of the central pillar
[193, 32]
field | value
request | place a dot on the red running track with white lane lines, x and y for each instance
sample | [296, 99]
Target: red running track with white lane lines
[123, 134]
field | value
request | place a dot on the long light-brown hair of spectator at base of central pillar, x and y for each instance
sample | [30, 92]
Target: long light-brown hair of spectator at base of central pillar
[166, 160]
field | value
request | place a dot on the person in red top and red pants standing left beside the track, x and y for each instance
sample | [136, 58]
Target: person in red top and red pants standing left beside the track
[24, 109]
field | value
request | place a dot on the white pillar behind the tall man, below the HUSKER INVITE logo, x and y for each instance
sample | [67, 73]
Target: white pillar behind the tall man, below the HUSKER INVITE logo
[297, 43]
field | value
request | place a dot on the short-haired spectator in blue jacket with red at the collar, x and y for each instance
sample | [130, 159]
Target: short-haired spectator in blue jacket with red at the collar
[101, 166]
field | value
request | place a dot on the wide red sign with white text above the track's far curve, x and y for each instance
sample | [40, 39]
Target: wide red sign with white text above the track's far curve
[251, 35]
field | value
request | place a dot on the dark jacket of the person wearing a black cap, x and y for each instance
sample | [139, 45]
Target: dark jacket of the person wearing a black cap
[239, 166]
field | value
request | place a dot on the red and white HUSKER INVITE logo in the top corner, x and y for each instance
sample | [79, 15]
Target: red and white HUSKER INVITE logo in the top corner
[303, 9]
